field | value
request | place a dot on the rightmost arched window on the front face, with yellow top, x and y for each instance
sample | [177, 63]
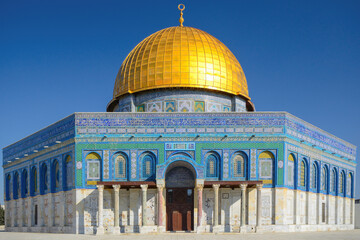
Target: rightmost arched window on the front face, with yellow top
[266, 165]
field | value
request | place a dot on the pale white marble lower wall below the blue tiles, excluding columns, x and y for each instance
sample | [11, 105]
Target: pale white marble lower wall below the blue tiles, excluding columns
[283, 210]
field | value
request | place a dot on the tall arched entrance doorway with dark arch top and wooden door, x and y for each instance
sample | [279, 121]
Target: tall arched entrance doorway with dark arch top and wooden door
[180, 182]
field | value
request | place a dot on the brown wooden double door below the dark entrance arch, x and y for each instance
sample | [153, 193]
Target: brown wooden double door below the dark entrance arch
[179, 209]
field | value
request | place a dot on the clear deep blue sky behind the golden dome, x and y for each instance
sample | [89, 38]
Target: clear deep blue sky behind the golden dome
[61, 57]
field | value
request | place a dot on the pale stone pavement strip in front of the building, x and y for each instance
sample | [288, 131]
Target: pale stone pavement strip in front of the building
[338, 235]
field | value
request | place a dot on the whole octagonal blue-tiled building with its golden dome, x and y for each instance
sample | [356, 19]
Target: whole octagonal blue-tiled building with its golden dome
[180, 148]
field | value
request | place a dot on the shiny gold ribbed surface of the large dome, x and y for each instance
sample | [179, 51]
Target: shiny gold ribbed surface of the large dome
[181, 57]
